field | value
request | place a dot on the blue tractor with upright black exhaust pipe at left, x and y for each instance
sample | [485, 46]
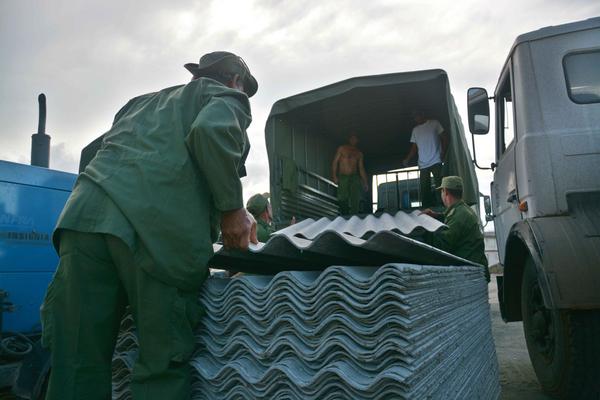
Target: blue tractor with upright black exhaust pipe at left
[31, 199]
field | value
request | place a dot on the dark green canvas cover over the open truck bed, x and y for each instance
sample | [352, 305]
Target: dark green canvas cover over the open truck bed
[303, 132]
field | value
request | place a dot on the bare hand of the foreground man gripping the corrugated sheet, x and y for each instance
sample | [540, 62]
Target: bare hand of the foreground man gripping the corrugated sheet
[238, 228]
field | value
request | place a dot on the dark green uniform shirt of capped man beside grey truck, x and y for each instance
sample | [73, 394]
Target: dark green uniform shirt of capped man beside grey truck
[463, 238]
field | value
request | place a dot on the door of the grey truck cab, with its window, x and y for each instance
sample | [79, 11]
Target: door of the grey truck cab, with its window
[504, 187]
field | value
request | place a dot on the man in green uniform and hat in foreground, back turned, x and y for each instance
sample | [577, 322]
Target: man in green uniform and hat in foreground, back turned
[138, 230]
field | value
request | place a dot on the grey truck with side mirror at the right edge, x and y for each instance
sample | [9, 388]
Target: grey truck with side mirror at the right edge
[545, 199]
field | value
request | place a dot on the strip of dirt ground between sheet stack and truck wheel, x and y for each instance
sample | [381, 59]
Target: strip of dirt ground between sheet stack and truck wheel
[517, 378]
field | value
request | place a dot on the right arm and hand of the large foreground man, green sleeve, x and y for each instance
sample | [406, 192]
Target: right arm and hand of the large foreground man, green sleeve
[216, 142]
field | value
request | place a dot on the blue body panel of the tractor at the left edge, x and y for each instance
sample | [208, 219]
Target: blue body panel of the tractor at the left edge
[31, 199]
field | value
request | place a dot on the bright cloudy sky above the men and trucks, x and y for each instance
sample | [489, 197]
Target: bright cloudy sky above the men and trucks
[90, 57]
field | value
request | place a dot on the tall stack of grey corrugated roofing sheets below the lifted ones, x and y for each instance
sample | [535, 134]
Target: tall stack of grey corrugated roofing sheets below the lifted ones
[399, 331]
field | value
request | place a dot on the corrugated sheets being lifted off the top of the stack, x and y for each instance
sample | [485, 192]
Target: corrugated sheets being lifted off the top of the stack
[315, 245]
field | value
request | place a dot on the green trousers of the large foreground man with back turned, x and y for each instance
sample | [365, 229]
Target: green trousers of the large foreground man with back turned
[98, 275]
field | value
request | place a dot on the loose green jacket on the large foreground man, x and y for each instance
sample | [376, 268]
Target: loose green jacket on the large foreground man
[167, 167]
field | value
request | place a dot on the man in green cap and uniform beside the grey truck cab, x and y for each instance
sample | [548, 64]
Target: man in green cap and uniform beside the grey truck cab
[463, 238]
